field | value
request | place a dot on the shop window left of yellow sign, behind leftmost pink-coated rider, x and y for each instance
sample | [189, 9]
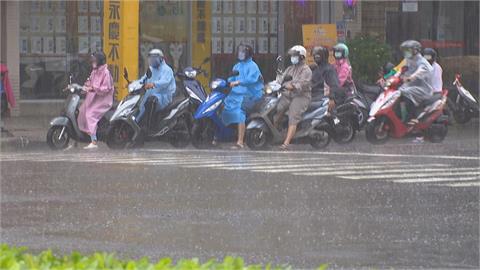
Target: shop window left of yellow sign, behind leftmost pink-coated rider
[56, 38]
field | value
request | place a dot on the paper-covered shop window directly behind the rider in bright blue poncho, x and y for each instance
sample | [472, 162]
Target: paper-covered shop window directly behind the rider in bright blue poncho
[244, 22]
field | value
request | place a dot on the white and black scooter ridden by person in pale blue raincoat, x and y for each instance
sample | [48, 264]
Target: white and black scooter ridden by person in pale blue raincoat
[171, 124]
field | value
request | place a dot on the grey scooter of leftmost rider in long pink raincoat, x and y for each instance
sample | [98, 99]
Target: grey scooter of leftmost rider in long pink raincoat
[65, 127]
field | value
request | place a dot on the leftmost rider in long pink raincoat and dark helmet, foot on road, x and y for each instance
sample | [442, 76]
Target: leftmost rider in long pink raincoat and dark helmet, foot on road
[99, 97]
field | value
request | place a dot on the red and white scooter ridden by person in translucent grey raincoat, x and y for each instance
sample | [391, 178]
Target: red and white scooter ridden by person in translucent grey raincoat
[385, 117]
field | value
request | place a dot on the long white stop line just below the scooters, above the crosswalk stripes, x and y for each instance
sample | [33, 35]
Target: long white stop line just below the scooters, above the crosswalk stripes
[320, 153]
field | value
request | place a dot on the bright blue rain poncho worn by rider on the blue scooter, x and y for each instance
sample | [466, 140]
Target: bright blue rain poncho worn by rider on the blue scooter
[245, 95]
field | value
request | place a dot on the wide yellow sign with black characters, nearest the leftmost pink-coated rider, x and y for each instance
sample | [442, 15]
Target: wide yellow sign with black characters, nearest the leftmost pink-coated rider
[120, 40]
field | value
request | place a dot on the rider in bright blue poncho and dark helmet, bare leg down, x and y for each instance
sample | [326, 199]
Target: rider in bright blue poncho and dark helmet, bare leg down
[247, 89]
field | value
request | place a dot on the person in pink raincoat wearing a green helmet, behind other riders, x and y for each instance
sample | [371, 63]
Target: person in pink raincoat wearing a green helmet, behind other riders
[343, 68]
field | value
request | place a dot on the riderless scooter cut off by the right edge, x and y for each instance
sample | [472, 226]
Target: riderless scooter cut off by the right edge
[465, 105]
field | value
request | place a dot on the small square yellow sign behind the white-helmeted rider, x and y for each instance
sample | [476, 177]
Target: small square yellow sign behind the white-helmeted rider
[318, 35]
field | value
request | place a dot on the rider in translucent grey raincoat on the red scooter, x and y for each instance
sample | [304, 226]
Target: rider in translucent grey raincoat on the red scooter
[417, 85]
